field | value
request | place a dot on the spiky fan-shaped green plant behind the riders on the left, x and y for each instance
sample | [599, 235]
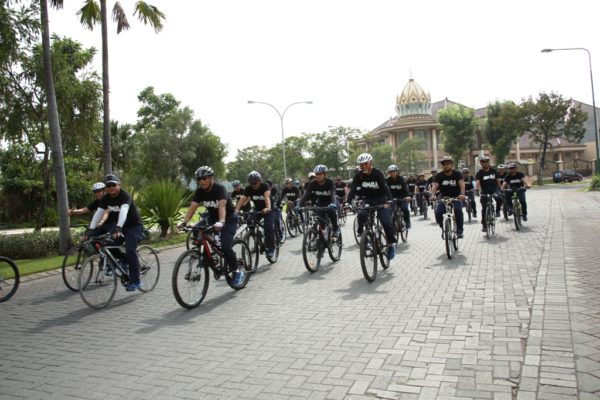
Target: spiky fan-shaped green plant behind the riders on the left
[160, 204]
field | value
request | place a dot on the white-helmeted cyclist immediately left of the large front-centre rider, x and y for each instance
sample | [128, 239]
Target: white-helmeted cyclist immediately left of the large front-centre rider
[321, 192]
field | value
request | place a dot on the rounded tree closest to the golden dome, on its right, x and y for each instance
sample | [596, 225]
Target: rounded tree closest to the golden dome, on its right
[458, 128]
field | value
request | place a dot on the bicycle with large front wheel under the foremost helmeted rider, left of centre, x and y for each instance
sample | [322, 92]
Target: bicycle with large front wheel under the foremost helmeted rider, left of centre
[191, 271]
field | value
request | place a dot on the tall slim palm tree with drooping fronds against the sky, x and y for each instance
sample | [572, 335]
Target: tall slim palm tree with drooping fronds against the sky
[91, 13]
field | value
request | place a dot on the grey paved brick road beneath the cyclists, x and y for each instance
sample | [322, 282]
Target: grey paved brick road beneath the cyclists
[515, 317]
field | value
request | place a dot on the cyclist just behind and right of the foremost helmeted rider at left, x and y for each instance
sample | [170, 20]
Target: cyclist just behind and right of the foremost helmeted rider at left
[260, 195]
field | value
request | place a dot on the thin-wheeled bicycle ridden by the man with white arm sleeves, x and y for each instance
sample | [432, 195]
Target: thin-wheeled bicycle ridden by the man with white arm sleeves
[100, 272]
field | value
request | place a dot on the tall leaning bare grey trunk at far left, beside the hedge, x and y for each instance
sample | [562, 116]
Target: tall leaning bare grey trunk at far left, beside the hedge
[57, 154]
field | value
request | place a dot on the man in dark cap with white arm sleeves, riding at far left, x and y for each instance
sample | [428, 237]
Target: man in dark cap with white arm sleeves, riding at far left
[123, 222]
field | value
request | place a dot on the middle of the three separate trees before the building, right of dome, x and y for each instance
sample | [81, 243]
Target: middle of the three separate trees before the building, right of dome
[502, 127]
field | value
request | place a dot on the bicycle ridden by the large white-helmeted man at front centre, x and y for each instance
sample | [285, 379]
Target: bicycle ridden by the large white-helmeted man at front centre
[373, 244]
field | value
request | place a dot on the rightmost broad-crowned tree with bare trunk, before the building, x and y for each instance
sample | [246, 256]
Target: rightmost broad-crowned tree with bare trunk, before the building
[551, 116]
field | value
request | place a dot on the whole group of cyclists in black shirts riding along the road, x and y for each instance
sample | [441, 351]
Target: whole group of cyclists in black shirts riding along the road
[115, 212]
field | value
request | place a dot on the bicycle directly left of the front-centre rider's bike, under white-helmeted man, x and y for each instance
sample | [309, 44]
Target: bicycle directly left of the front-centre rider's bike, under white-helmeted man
[319, 237]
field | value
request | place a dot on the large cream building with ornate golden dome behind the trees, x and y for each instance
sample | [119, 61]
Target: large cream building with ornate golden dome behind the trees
[416, 117]
